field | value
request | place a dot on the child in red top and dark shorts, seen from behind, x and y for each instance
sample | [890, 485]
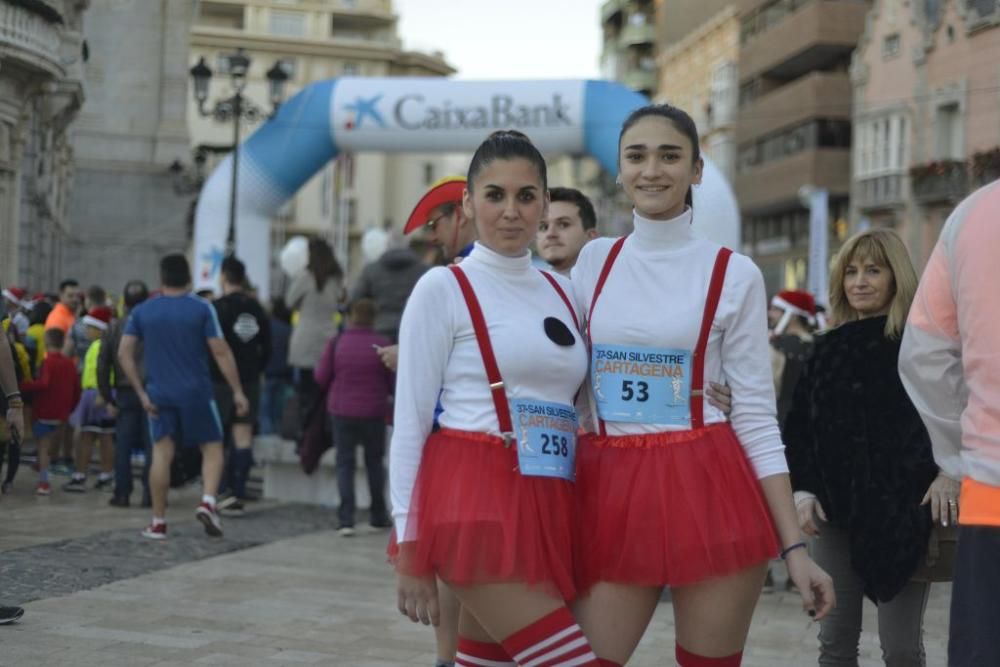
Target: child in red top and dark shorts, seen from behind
[55, 393]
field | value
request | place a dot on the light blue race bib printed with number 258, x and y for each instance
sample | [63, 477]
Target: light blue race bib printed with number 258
[546, 438]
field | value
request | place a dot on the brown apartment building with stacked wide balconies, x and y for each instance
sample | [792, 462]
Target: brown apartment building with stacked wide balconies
[793, 125]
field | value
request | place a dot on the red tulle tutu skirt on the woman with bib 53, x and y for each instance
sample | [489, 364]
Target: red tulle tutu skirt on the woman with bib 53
[668, 509]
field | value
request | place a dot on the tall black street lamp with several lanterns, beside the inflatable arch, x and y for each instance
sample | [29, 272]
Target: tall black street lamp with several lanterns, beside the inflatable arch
[236, 108]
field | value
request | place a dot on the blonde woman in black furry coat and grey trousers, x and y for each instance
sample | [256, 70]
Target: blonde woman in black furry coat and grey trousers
[861, 460]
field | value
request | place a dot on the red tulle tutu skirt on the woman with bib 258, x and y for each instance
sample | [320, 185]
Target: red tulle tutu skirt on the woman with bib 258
[475, 519]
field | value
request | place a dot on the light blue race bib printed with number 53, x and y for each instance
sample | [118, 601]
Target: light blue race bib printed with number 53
[642, 384]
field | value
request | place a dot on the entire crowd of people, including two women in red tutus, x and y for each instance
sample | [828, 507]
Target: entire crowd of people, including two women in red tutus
[576, 431]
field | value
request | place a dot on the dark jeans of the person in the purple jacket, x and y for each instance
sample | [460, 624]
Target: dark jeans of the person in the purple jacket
[348, 433]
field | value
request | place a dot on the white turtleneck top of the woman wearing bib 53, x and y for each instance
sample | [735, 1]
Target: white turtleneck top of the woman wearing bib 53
[655, 297]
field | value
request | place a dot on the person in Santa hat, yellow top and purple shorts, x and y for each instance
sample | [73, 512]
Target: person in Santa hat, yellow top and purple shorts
[92, 415]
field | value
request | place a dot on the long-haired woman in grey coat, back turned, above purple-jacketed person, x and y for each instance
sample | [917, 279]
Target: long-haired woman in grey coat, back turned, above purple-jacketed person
[315, 294]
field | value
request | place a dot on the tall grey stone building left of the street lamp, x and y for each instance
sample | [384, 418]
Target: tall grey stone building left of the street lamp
[124, 210]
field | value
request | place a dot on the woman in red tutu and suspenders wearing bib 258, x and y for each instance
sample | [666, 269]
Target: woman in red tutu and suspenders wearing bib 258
[485, 503]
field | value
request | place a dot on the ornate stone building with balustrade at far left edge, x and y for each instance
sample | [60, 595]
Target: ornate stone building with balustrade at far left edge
[41, 91]
